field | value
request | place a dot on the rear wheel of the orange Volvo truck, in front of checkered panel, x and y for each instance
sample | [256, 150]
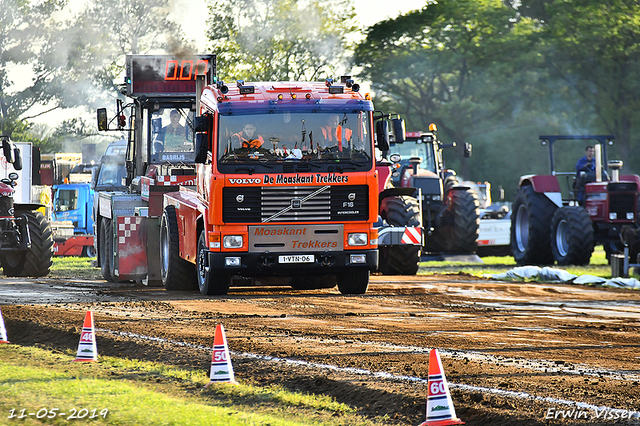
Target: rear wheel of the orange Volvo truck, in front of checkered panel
[177, 273]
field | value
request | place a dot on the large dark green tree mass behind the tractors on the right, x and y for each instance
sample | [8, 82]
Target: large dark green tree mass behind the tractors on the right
[500, 73]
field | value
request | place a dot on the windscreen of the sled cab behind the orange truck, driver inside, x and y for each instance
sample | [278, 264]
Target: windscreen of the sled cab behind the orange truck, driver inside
[172, 132]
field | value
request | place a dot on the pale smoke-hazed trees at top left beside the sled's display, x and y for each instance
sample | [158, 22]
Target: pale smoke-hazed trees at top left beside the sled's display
[75, 62]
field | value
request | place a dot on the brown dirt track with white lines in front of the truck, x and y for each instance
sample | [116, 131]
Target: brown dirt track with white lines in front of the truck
[513, 353]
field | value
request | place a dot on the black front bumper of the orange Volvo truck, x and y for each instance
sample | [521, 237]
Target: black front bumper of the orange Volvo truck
[254, 264]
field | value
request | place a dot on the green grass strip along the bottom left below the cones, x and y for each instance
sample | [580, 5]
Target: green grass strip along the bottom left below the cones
[133, 392]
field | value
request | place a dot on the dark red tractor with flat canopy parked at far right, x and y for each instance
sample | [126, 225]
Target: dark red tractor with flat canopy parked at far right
[547, 226]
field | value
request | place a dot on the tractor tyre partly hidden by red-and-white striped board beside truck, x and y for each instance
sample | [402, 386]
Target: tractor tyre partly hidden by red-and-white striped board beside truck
[400, 259]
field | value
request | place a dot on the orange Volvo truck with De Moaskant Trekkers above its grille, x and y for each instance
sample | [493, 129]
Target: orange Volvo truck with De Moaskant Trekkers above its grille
[286, 186]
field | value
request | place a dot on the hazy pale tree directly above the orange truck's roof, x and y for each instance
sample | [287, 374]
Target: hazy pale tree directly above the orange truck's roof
[276, 40]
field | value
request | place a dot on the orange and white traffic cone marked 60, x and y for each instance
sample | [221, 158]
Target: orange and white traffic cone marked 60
[440, 411]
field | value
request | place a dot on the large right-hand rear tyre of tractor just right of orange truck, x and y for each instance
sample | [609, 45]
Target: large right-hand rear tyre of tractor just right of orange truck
[459, 232]
